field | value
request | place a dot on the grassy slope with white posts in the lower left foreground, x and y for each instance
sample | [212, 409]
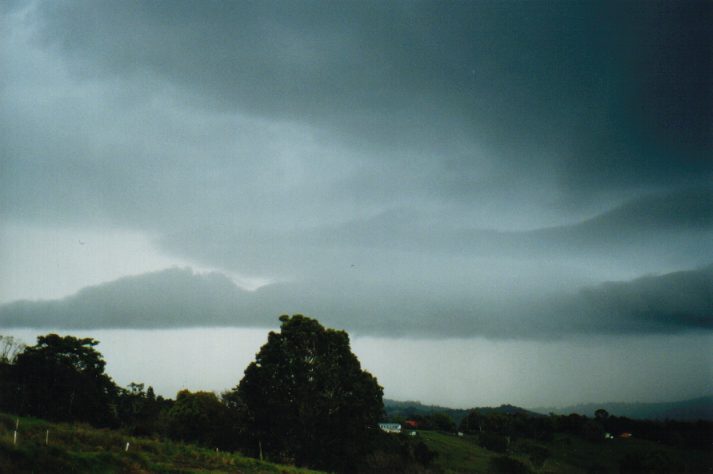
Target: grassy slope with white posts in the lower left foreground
[82, 449]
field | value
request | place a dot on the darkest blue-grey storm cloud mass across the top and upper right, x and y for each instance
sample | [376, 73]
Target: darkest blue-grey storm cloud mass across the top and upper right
[571, 89]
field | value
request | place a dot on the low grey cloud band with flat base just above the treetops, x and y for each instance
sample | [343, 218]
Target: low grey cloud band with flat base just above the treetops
[670, 303]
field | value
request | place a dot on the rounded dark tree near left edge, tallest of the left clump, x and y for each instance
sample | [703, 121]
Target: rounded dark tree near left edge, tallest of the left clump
[62, 378]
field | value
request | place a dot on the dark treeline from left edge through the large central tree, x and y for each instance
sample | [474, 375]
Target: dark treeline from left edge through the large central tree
[305, 400]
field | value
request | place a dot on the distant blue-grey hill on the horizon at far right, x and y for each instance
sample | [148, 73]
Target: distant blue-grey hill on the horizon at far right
[687, 410]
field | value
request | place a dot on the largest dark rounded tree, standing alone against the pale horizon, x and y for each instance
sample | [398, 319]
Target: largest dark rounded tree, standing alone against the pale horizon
[308, 399]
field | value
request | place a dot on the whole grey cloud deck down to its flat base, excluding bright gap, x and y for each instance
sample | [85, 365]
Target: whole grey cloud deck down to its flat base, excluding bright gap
[415, 160]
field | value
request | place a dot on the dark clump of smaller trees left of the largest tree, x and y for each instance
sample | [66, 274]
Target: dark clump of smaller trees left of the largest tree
[62, 378]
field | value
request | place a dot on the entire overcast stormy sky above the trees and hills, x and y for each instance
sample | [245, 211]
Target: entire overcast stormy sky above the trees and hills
[492, 183]
